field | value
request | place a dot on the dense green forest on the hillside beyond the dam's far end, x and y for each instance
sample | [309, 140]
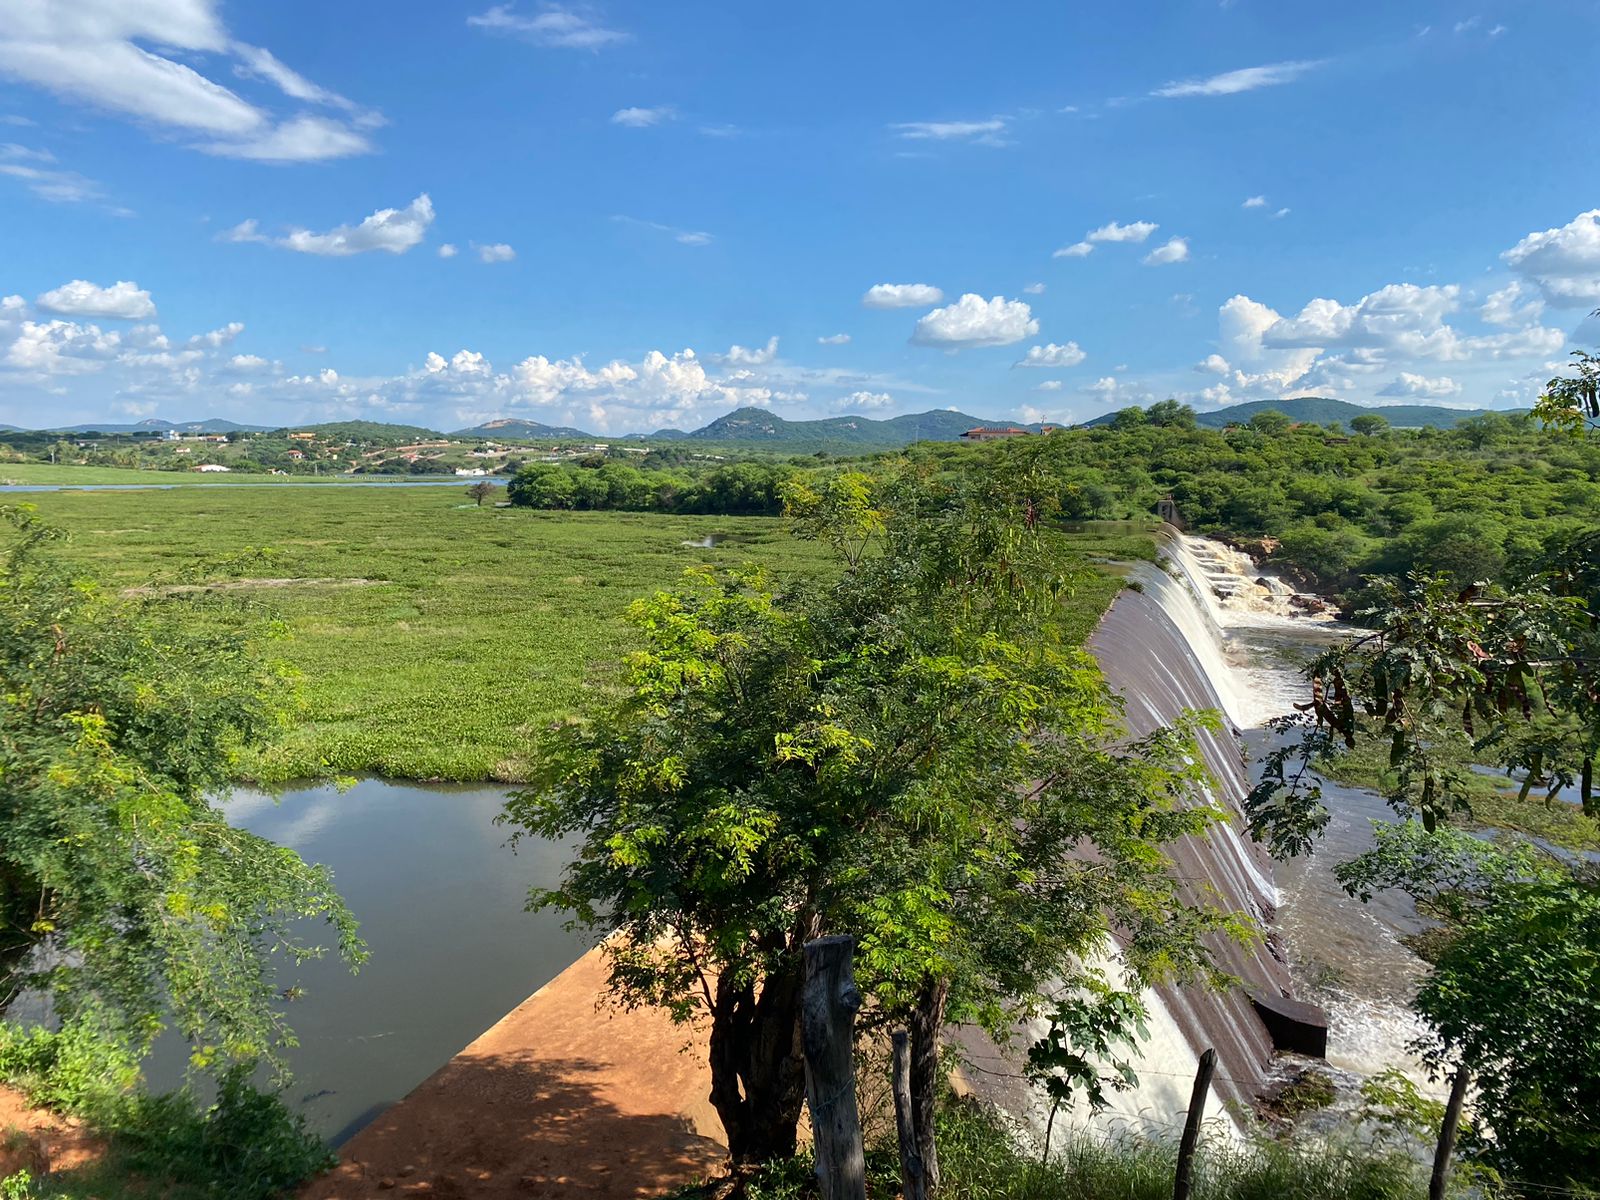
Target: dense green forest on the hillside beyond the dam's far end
[1474, 502]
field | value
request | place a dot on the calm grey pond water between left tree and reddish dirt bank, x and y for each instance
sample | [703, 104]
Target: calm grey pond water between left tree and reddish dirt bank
[441, 902]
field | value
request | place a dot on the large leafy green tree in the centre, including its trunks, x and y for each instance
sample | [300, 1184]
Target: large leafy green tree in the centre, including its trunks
[906, 753]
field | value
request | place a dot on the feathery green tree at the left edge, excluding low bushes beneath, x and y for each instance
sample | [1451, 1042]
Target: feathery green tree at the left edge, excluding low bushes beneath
[124, 890]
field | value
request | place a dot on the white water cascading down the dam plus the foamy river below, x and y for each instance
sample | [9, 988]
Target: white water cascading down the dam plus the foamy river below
[1209, 630]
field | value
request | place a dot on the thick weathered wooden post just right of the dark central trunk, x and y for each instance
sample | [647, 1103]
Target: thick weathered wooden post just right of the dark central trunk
[828, 1026]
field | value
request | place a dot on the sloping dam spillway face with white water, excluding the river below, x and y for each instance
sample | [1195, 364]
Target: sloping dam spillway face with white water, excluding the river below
[1167, 649]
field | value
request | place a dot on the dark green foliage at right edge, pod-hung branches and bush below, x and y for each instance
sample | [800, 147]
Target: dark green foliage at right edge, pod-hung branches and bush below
[1518, 676]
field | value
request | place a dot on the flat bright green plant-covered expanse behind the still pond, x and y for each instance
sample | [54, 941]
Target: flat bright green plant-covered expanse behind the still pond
[433, 636]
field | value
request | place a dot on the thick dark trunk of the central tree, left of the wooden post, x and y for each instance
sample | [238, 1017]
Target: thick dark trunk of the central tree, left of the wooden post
[758, 1066]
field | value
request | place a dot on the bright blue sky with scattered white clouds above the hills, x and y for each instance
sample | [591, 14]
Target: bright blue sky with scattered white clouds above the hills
[630, 217]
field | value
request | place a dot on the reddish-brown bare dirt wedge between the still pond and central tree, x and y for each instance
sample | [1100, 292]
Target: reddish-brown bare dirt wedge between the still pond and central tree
[558, 1100]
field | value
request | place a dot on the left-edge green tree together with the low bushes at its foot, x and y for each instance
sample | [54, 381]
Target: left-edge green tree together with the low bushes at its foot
[129, 905]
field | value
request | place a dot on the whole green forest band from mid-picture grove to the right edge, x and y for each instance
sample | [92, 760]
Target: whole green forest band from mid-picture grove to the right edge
[1479, 502]
